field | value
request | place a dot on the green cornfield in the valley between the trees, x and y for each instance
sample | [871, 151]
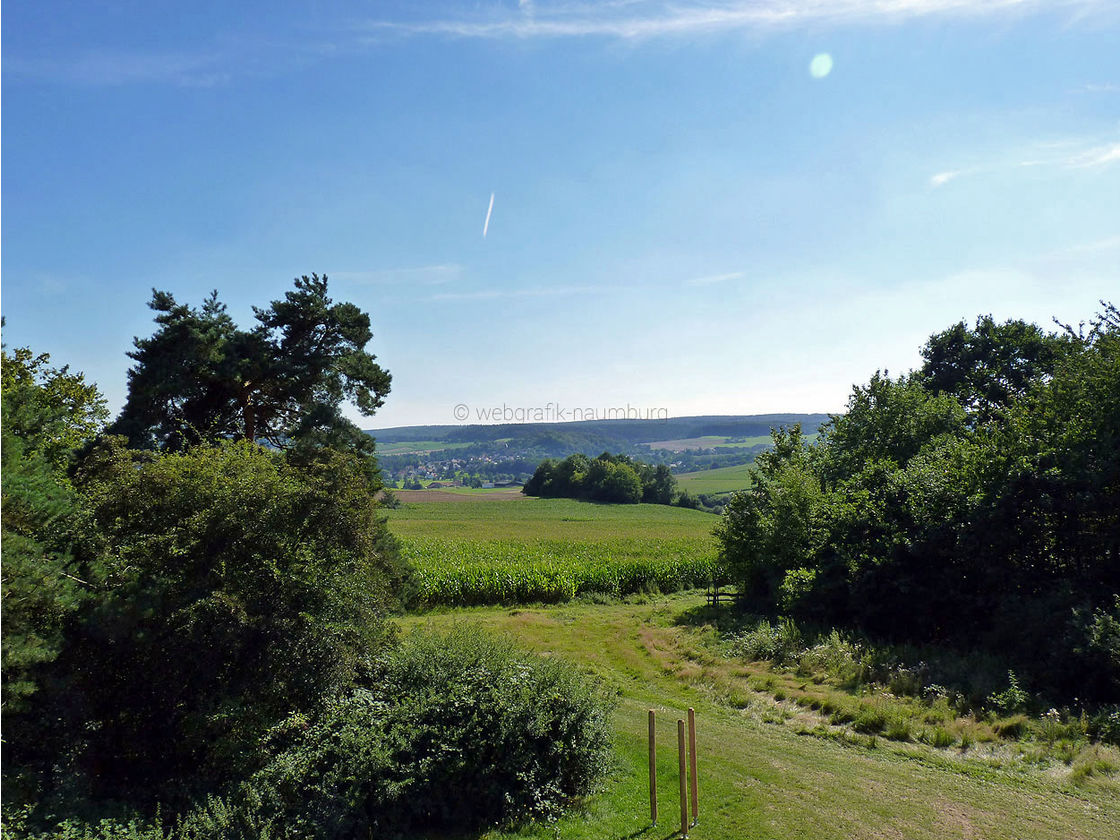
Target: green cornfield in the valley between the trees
[526, 550]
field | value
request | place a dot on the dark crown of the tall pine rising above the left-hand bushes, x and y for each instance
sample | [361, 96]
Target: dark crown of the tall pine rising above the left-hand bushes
[201, 378]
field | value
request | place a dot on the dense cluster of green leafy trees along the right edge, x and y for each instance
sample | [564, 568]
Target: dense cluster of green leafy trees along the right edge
[975, 502]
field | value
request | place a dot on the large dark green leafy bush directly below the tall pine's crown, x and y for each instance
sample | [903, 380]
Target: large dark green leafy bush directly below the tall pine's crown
[237, 587]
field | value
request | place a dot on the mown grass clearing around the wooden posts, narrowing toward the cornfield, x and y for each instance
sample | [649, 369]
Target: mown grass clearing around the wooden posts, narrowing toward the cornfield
[762, 780]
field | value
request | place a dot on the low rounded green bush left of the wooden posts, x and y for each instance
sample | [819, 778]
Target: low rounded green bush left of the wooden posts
[456, 731]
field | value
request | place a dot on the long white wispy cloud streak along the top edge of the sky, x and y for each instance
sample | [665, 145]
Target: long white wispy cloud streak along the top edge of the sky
[645, 20]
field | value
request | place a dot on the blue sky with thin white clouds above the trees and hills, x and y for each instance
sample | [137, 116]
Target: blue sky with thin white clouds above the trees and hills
[685, 217]
